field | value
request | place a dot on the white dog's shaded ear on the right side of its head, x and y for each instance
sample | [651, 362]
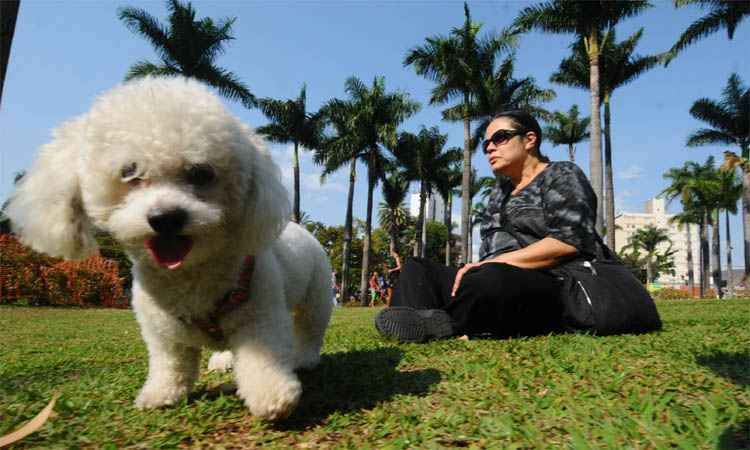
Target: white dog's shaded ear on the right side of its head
[268, 209]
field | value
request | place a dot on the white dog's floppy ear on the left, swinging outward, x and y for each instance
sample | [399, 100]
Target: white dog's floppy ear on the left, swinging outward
[46, 210]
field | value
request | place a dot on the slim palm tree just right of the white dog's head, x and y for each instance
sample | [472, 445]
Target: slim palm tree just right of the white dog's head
[290, 122]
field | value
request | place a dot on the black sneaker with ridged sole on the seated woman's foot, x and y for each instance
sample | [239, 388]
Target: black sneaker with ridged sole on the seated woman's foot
[406, 324]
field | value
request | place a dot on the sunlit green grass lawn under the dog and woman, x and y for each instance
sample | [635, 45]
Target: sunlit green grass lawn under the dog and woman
[687, 387]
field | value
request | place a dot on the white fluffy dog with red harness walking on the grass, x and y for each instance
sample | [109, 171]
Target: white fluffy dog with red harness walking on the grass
[190, 192]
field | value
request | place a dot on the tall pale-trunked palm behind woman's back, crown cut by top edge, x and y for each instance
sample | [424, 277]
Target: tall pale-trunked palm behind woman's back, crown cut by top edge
[586, 19]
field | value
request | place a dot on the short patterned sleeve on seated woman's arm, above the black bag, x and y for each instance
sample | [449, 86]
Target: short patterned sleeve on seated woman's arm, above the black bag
[570, 208]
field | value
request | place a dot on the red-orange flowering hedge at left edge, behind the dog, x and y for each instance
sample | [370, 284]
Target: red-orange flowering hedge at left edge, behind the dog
[28, 276]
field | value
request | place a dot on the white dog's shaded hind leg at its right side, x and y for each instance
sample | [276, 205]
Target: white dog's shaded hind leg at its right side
[311, 319]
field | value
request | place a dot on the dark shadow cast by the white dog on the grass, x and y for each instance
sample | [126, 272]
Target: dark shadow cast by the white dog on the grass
[348, 381]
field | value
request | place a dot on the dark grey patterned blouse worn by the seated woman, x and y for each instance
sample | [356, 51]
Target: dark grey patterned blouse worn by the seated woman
[558, 203]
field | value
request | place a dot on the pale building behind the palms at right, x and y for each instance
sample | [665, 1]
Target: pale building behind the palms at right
[656, 214]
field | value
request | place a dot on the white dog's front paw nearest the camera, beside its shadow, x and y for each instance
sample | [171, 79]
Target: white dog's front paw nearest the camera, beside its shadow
[272, 401]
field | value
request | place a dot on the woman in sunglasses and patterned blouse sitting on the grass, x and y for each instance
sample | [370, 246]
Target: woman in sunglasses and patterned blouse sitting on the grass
[513, 290]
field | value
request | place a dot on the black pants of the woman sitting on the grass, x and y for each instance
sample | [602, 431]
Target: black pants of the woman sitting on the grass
[494, 298]
